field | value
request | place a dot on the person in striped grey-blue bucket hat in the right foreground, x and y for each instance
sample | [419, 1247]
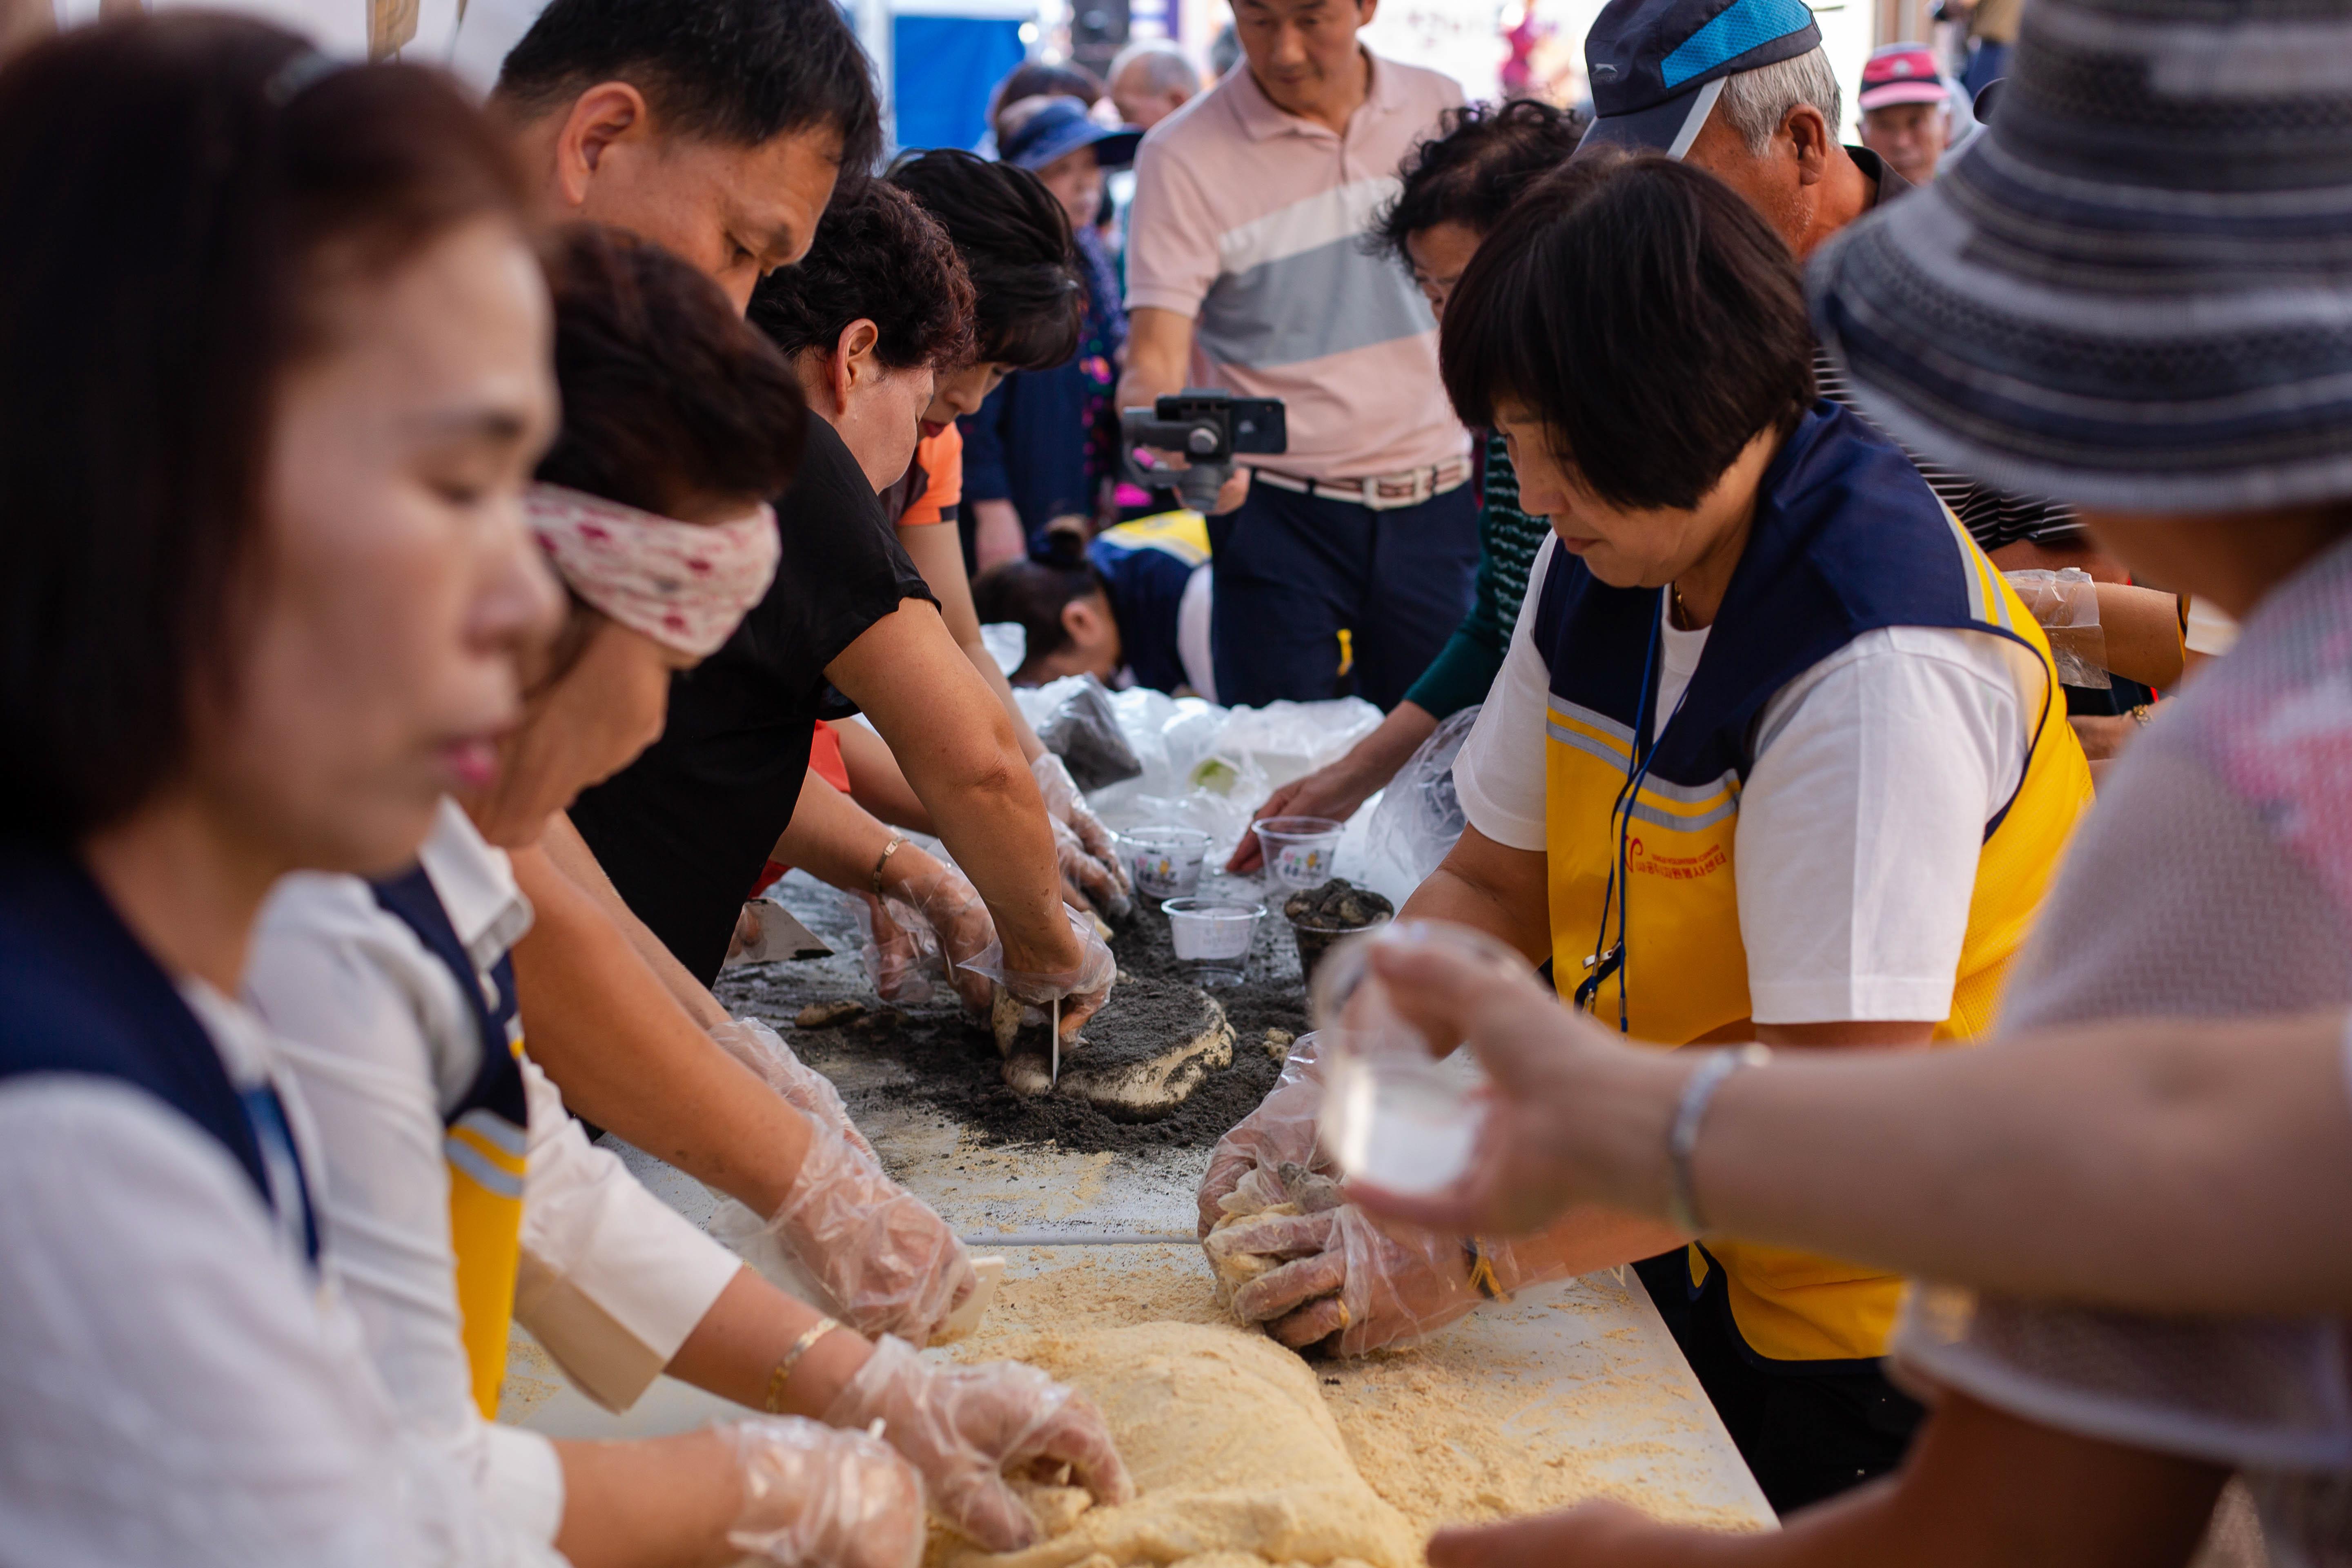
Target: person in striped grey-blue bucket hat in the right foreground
[2153, 260]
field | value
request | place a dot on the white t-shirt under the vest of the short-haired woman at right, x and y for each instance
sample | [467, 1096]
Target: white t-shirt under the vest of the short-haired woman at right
[1862, 819]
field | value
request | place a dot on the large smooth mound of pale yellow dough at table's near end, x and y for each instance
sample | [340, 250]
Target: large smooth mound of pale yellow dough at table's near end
[1236, 1459]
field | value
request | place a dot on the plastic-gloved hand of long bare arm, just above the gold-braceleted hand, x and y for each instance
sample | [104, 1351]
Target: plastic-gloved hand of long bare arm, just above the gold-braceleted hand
[886, 1259]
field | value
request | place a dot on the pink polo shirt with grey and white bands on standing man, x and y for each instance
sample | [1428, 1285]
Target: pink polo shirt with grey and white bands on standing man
[1252, 222]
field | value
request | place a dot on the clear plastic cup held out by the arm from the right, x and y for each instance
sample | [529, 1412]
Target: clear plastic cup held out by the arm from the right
[1396, 1111]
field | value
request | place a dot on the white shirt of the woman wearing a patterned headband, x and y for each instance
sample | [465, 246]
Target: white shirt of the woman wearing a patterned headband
[382, 1045]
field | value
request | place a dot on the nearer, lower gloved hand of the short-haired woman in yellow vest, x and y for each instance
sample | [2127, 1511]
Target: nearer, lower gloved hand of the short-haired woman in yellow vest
[1365, 1282]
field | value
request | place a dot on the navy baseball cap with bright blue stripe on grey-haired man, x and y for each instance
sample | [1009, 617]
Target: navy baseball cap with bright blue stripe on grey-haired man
[1657, 67]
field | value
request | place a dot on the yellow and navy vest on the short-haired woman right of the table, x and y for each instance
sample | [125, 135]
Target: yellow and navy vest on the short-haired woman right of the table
[1843, 514]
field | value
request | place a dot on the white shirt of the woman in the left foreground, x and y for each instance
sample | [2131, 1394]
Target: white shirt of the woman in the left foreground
[175, 1386]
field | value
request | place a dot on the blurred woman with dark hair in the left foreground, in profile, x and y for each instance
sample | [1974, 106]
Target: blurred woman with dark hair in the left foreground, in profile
[274, 368]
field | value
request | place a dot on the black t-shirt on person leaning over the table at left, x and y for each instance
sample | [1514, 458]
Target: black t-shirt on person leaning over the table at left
[686, 829]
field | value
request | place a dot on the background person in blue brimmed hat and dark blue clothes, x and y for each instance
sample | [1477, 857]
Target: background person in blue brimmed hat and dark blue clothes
[1043, 450]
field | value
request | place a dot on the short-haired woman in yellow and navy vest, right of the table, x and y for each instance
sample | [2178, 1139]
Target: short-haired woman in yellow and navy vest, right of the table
[1775, 756]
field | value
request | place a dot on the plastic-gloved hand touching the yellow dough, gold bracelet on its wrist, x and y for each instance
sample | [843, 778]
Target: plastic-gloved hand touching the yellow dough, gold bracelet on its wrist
[968, 1428]
